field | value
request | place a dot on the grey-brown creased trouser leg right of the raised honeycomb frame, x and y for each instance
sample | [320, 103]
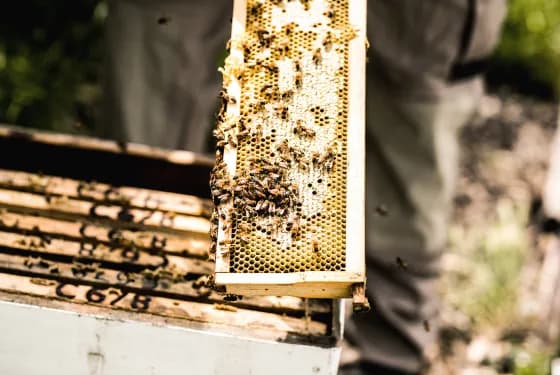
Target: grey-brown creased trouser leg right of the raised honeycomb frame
[413, 116]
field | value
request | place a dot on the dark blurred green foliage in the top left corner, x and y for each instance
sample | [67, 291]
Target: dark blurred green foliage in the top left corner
[50, 53]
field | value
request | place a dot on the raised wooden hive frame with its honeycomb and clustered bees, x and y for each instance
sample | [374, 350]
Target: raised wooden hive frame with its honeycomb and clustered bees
[288, 184]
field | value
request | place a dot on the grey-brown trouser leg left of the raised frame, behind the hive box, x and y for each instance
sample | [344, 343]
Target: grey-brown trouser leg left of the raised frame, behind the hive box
[161, 78]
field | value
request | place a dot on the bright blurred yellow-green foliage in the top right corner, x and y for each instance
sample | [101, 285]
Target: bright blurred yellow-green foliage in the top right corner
[528, 57]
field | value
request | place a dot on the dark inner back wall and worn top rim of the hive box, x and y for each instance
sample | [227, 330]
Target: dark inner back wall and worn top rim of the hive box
[115, 163]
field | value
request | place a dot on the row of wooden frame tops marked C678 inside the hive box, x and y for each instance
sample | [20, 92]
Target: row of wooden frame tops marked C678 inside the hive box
[52, 246]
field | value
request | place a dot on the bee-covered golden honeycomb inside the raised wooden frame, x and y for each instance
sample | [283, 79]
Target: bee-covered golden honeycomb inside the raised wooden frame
[284, 208]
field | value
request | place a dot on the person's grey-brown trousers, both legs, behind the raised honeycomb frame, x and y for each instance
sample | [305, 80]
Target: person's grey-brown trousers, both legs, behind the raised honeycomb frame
[161, 86]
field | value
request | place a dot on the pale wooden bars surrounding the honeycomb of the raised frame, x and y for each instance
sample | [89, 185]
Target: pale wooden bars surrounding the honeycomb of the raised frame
[316, 284]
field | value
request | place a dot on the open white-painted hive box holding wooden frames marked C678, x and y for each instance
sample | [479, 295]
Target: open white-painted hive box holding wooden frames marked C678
[104, 262]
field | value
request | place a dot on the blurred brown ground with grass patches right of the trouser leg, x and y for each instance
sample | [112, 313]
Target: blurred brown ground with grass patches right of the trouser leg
[491, 318]
